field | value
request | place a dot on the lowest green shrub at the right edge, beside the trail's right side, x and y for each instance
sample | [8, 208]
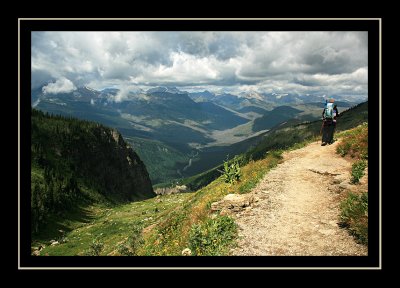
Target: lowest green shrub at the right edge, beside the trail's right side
[354, 216]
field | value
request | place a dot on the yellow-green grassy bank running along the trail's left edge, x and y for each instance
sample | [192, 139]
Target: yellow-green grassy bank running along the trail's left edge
[191, 224]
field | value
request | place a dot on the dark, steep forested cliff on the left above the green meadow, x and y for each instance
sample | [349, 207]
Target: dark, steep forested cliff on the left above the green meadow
[76, 163]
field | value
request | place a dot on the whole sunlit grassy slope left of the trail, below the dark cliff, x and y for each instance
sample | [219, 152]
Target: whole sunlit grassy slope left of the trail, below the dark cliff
[164, 225]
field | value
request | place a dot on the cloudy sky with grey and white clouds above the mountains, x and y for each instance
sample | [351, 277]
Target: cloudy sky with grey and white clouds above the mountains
[287, 62]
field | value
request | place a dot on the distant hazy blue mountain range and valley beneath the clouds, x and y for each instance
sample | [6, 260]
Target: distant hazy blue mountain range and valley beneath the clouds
[177, 133]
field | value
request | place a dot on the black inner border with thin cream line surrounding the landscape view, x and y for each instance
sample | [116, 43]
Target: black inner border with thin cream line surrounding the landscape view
[372, 261]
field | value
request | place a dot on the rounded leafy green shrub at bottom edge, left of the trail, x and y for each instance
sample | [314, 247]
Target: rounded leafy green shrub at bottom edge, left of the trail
[212, 237]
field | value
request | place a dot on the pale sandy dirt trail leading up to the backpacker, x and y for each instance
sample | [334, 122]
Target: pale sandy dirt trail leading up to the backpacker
[298, 207]
